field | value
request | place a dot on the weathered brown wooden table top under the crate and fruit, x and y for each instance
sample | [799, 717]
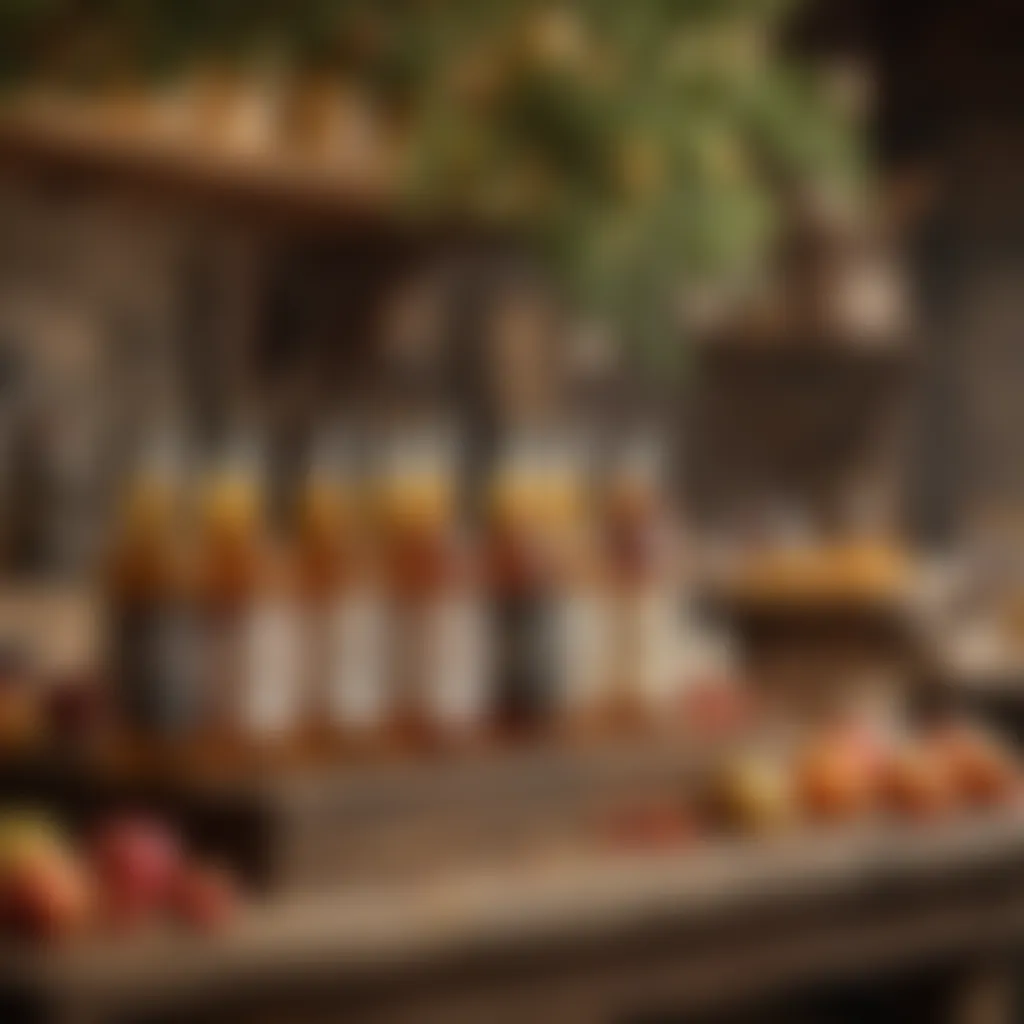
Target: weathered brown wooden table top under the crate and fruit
[360, 937]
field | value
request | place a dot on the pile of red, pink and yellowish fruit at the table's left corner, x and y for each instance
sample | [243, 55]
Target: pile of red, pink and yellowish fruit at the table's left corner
[132, 873]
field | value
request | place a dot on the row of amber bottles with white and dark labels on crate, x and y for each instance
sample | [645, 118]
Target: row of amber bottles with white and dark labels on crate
[389, 606]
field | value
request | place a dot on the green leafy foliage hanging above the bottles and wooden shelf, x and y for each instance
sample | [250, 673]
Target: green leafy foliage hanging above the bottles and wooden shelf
[637, 143]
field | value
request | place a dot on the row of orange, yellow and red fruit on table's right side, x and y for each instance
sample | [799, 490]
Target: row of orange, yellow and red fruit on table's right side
[843, 775]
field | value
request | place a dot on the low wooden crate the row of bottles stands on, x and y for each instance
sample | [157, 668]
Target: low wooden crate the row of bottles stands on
[303, 829]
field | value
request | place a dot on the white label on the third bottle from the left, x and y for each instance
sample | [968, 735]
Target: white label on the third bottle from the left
[357, 673]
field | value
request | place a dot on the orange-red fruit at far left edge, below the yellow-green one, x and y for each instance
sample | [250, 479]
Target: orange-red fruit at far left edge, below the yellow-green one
[47, 898]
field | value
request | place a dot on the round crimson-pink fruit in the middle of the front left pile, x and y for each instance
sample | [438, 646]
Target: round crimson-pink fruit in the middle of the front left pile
[137, 862]
